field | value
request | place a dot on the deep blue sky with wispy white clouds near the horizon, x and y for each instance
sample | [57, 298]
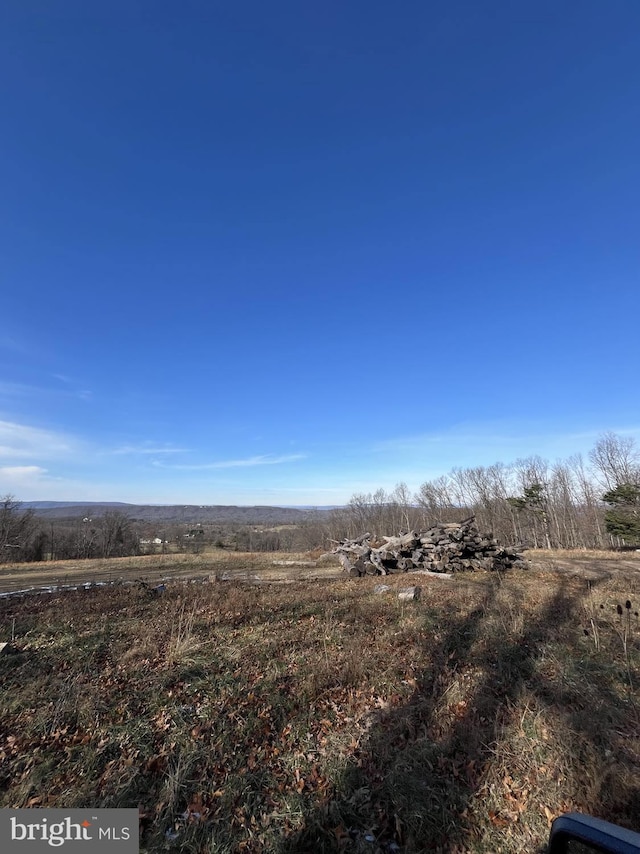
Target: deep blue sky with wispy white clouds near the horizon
[284, 252]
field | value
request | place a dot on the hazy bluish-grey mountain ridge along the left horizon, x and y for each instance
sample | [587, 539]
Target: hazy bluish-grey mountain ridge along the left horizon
[257, 515]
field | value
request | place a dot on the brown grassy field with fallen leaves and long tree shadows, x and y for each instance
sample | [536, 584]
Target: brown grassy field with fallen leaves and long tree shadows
[320, 716]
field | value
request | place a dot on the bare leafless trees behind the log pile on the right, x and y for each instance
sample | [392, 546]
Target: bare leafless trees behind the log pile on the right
[569, 504]
